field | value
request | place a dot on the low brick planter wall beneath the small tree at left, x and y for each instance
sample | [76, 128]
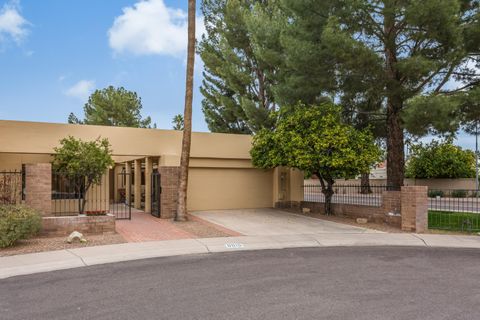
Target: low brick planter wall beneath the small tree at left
[63, 226]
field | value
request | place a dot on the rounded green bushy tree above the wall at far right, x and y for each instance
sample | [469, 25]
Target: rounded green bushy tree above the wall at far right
[440, 160]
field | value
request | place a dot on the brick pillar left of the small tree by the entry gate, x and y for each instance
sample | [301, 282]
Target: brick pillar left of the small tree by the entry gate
[38, 187]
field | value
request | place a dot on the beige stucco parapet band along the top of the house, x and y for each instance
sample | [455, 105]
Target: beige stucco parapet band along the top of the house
[41, 138]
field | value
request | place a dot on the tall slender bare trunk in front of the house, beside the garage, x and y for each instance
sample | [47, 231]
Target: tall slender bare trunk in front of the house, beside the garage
[181, 214]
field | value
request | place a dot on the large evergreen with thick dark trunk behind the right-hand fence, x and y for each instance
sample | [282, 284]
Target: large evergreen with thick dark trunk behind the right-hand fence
[412, 47]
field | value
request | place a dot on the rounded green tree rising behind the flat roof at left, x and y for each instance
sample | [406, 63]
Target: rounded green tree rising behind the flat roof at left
[113, 107]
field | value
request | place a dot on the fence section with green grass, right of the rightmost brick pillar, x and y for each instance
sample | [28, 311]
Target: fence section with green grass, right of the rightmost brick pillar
[454, 209]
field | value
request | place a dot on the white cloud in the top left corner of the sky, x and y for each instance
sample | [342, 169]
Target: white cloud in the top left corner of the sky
[12, 24]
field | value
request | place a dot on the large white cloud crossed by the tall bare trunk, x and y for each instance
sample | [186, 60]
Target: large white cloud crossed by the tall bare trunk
[149, 27]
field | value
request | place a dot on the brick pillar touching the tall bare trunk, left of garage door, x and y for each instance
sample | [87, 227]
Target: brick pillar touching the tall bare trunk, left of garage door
[169, 196]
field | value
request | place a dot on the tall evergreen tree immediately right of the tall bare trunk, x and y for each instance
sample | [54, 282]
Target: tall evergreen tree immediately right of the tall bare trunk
[237, 85]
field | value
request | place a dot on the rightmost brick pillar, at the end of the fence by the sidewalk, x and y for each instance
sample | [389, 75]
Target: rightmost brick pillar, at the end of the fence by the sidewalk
[414, 208]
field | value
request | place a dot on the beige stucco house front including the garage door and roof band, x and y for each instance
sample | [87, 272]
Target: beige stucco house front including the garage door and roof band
[221, 176]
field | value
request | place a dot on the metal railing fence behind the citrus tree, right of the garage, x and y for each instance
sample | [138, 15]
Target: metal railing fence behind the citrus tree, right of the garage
[348, 194]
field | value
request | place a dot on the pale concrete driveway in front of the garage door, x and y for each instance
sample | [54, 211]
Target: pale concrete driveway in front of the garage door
[266, 221]
